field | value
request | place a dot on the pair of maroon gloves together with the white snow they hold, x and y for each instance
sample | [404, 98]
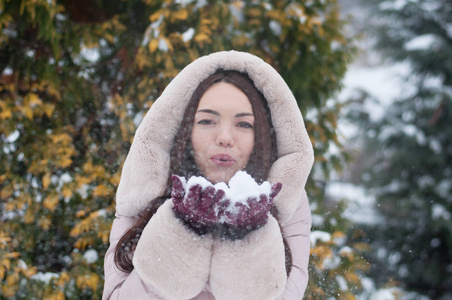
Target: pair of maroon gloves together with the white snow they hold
[230, 212]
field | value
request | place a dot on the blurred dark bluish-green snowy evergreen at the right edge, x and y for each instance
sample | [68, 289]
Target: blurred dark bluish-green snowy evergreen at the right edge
[409, 151]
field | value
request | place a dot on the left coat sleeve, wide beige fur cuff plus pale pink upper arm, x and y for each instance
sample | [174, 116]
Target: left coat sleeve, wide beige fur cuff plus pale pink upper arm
[167, 255]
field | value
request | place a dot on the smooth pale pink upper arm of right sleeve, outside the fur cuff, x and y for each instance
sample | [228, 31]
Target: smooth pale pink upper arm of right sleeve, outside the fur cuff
[297, 231]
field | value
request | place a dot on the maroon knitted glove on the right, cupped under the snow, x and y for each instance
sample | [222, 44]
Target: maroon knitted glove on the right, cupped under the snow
[253, 213]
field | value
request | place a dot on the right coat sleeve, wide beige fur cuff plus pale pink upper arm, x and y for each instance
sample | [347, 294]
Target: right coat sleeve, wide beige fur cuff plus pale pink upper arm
[254, 267]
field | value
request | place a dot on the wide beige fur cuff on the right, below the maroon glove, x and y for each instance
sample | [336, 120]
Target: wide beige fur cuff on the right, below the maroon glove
[249, 268]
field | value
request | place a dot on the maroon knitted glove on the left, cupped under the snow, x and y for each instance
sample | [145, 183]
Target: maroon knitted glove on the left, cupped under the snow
[197, 207]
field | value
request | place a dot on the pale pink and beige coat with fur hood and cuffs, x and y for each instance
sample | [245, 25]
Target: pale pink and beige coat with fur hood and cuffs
[172, 262]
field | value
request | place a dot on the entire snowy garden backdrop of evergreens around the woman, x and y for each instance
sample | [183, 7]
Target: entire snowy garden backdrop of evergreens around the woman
[373, 80]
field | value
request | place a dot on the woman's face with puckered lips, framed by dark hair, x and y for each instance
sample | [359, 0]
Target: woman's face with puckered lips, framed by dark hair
[223, 132]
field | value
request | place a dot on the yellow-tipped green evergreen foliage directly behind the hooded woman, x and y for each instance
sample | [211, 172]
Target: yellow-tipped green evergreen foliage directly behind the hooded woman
[77, 76]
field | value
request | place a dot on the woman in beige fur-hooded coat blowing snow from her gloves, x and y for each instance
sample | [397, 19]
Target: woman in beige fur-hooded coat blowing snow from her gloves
[223, 113]
